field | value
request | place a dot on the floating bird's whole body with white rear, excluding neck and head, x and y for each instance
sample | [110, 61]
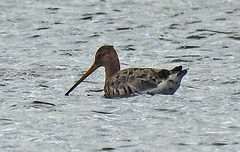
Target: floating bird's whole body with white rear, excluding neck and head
[143, 80]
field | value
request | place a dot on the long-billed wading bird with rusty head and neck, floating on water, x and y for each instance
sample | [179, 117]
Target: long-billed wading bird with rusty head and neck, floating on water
[132, 81]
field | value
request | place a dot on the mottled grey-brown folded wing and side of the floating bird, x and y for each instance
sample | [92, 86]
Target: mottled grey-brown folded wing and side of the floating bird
[134, 80]
